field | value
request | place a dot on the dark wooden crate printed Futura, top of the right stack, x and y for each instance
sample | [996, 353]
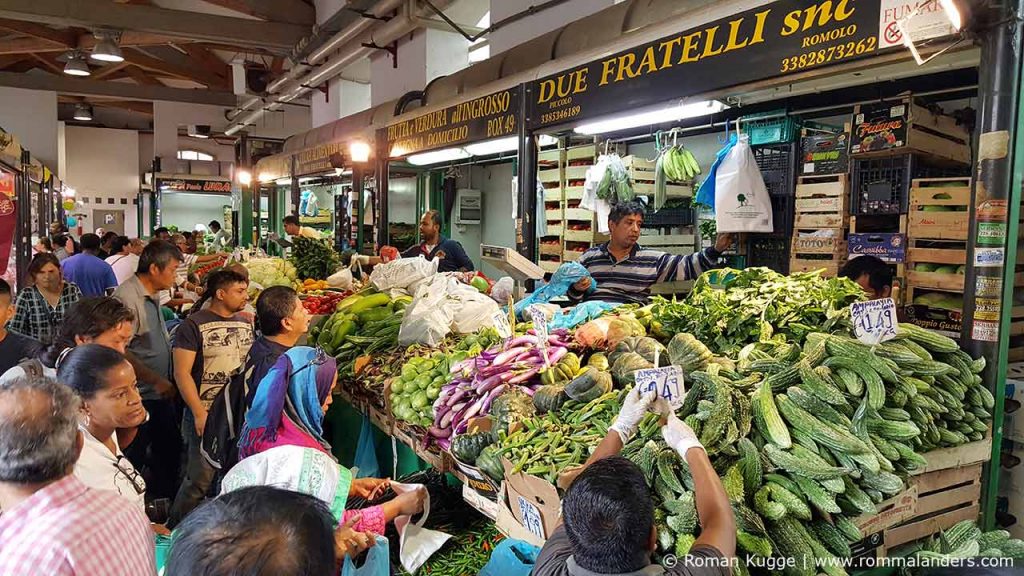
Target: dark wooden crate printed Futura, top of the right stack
[920, 129]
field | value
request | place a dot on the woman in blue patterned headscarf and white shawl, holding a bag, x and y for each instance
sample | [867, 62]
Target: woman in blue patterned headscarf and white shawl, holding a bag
[282, 445]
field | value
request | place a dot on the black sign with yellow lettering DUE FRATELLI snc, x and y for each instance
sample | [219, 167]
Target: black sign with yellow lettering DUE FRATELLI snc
[781, 38]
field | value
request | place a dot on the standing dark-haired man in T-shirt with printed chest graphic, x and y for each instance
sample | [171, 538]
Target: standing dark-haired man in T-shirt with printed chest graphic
[210, 347]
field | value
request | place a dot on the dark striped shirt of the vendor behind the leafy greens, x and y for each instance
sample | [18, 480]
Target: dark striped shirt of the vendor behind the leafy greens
[630, 280]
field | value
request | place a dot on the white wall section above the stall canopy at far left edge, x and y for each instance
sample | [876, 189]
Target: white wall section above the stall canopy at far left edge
[32, 116]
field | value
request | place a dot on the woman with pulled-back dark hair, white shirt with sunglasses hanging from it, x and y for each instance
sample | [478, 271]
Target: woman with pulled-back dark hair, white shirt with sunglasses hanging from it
[106, 383]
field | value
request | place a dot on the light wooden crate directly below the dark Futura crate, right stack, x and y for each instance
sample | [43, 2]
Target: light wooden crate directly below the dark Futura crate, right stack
[925, 193]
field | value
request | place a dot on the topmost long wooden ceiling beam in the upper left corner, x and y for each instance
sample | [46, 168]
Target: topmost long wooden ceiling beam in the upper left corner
[103, 14]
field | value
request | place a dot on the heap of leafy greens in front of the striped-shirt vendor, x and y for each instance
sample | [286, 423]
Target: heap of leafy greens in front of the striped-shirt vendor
[730, 309]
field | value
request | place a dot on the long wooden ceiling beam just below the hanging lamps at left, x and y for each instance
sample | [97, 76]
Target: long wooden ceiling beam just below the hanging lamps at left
[66, 86]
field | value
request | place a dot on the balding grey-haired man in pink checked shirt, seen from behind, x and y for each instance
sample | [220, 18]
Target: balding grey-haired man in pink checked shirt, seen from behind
[53, 524]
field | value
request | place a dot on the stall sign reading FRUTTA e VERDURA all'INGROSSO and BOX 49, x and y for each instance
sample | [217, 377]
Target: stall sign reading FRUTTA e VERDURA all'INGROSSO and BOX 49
[486, 118]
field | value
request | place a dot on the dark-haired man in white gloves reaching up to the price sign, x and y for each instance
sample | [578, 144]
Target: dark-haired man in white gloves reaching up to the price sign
[609, 515]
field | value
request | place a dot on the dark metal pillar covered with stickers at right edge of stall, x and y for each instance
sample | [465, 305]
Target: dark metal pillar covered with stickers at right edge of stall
[995, 217]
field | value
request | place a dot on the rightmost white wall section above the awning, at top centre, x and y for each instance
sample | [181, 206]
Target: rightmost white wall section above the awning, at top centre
[531, 27]
